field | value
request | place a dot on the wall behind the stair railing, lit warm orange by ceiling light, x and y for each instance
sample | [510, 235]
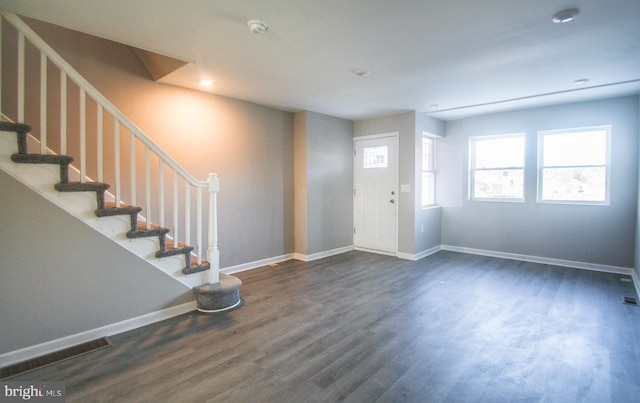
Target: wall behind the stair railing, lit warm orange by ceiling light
[249, 146]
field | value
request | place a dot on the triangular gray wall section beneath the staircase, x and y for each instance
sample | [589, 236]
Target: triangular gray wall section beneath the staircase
[59, 277]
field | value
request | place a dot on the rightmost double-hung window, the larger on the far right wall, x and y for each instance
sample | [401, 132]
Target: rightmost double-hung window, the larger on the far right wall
[573, 165]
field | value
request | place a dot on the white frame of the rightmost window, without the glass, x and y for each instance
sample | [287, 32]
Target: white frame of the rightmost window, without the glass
[607, 165]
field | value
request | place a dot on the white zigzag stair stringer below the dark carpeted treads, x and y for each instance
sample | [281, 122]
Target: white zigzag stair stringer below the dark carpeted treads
[82, 205]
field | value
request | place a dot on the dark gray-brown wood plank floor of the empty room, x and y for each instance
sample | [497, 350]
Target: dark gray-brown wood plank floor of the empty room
[361, 327]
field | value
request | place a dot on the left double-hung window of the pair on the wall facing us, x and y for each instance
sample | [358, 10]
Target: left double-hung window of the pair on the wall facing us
[497, 167]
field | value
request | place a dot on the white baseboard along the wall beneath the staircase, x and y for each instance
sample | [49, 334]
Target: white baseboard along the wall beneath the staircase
[38, 350]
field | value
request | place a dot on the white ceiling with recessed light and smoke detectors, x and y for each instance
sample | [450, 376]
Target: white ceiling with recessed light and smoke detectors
[467, 57]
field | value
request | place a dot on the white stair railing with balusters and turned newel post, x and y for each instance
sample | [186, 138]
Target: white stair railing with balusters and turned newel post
[102, 130]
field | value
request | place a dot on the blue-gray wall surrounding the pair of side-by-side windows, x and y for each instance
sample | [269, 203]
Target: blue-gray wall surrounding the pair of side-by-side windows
[593, 234]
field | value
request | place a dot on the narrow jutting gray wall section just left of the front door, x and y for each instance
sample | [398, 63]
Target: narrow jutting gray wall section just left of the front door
[323, 182]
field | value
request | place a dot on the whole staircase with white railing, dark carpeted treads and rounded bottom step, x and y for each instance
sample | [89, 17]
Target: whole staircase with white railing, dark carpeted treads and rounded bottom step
[112, 217]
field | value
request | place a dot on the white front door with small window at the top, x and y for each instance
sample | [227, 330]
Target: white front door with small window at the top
[375, 208]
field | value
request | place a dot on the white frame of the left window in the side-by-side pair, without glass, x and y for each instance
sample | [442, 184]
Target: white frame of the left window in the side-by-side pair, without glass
[472, 168]
